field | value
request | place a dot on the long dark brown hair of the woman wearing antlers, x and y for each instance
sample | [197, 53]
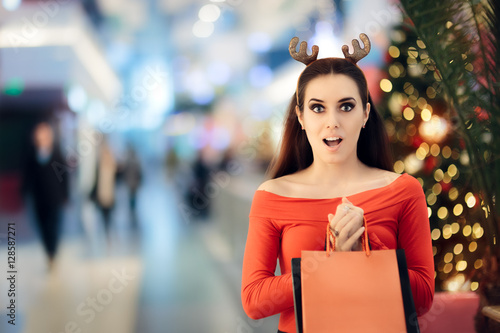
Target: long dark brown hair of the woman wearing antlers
[296, 153]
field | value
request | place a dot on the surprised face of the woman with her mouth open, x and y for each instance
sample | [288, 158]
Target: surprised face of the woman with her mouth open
[333, 117]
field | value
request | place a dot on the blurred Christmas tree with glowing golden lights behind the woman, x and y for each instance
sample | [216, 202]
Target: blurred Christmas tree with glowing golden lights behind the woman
[425, 144]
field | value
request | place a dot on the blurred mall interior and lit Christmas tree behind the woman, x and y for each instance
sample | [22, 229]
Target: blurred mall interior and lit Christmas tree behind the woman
[133, 135]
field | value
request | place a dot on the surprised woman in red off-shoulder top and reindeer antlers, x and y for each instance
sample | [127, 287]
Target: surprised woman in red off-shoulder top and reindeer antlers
[333, 167]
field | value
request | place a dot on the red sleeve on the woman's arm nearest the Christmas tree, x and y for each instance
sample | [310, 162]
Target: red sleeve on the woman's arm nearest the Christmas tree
[415, 238]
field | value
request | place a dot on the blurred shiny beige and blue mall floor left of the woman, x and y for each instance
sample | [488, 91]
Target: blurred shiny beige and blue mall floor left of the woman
[162, 274]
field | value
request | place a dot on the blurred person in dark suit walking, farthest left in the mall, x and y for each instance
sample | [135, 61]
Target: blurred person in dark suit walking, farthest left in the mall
[45, 178]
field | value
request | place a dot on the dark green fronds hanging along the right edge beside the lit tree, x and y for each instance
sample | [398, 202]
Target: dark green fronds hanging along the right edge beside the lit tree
[462, 38]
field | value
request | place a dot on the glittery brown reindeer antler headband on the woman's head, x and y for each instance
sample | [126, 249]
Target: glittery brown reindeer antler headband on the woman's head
[302, 56]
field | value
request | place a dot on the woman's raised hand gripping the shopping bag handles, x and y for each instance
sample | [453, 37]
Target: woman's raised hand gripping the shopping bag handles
[347, 226]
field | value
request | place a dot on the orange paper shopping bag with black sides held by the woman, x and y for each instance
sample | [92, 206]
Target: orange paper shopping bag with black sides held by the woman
[358, 291]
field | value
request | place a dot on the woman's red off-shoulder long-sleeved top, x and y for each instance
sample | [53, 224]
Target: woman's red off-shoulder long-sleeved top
[281, 227]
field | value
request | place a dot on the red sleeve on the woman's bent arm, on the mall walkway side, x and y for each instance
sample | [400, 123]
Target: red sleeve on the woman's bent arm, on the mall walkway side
[264, 294]
